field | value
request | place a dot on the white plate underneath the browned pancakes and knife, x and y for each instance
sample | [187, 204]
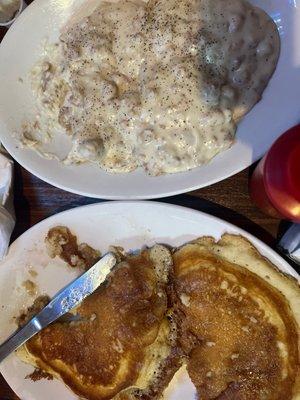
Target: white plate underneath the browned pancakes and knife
[128, 224]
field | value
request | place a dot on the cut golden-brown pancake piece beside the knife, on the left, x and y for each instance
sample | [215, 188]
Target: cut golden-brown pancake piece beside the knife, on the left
[123, 336]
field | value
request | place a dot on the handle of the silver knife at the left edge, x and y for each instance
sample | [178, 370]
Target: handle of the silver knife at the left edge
[18, 338]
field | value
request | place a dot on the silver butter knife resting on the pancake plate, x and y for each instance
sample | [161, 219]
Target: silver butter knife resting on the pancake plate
[66, 299]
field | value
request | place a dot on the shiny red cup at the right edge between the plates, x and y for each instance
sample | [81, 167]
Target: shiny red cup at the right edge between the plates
[275, 184]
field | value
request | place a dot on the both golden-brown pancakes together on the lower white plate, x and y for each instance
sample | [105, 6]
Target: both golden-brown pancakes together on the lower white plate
[219, 308]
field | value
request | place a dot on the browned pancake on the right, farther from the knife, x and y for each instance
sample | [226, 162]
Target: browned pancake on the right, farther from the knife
[239, 321]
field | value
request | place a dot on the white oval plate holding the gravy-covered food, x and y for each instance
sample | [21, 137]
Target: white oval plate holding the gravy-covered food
[278, 111]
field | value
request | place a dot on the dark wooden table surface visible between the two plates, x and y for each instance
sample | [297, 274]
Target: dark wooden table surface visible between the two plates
[229, 200]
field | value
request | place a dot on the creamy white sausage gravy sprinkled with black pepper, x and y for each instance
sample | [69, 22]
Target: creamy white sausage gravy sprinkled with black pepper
[158, 85]
